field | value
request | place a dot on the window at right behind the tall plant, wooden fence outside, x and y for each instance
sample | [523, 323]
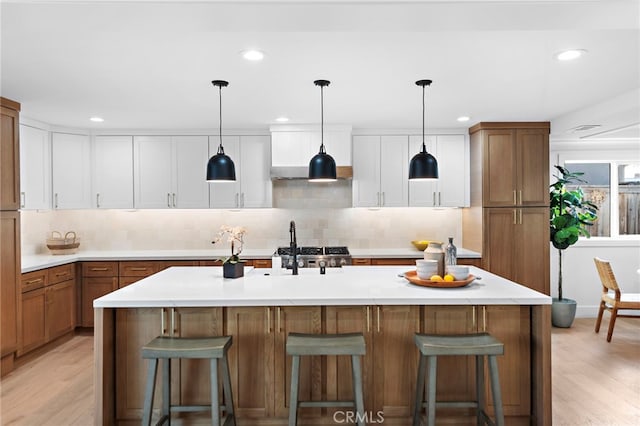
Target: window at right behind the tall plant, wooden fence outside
[614, 186]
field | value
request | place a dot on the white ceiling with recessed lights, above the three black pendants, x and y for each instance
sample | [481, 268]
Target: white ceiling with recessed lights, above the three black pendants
[149, 64]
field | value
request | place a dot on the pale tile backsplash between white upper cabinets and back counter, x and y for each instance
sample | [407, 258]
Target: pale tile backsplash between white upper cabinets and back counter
[267, 228]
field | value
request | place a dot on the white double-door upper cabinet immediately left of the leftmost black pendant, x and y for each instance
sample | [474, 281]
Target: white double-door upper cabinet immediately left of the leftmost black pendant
[170, 172]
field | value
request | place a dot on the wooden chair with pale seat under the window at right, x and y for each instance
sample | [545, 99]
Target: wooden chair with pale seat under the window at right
[612, 298]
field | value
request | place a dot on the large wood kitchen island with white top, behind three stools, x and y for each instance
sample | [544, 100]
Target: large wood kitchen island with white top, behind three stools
[260, 309]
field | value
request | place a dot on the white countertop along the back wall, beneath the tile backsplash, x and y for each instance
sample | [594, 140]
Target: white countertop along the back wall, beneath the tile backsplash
[40, 261]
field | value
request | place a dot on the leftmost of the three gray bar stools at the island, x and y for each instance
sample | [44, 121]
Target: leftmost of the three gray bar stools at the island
[167, 348]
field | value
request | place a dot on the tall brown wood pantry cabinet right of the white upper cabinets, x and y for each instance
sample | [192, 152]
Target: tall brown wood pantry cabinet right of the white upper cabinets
[508, 220]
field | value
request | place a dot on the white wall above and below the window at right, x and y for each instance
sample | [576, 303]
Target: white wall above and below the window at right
[580, 279]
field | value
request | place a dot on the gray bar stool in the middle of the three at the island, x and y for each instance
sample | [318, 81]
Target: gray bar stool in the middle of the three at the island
[326, 344]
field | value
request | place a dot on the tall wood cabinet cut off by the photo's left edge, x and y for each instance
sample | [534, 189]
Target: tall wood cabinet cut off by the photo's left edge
[9, 231]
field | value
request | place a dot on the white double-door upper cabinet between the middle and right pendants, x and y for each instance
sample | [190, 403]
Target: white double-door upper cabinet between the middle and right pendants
[380, 171]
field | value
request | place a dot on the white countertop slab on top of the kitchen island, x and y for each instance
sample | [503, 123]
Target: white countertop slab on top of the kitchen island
[350, 285]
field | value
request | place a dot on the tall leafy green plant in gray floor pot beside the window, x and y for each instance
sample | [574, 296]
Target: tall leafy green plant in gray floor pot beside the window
[570, 215]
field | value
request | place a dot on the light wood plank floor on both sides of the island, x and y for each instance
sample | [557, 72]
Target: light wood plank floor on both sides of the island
[594, 382]
